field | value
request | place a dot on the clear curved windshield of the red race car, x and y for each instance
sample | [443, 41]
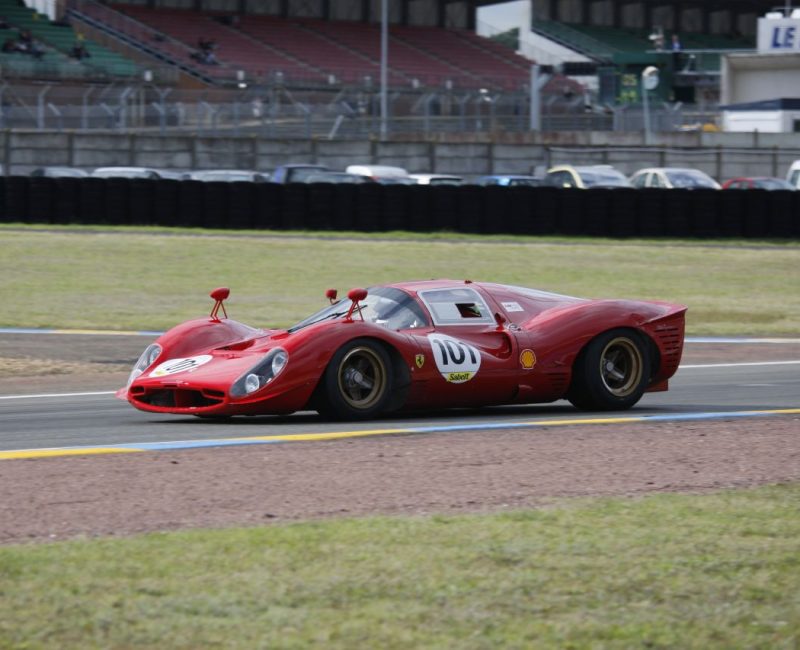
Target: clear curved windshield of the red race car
[392, 308]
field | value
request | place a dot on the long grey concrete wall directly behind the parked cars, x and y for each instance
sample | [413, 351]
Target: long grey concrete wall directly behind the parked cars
[723, 155]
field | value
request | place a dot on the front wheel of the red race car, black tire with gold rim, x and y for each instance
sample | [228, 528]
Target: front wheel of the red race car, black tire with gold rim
[358, 382]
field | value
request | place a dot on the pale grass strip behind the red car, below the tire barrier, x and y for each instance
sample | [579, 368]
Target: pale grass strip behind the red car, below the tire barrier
[132, 279]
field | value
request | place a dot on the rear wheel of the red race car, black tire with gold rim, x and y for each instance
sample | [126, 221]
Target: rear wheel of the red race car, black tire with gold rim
[611, 373]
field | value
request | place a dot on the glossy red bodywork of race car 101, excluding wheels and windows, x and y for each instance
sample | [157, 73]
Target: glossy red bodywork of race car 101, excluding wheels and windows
[526, 353]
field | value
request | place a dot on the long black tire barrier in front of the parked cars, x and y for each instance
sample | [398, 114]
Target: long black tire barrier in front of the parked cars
[613, 213]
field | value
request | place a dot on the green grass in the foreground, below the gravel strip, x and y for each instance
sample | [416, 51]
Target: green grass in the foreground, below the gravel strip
[666, 571]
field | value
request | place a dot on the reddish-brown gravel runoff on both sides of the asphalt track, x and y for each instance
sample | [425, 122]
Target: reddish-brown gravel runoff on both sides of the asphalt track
[455, 472]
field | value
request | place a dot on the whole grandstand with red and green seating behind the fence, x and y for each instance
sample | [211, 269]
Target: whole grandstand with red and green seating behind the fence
[325, 51]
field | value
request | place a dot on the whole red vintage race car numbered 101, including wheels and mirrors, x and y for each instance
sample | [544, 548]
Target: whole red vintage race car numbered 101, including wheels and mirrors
[415, 345]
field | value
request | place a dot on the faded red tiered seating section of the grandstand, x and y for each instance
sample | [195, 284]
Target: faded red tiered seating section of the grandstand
[308, 51]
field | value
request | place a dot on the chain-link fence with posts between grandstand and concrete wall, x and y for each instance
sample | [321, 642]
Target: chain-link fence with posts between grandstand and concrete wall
[275, 111]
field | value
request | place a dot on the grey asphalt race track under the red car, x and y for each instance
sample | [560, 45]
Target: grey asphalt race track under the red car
[98, 418]
